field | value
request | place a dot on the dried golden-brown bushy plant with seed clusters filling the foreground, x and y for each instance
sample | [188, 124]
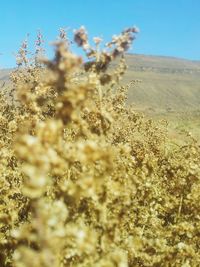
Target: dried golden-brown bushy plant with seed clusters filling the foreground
[84, 179]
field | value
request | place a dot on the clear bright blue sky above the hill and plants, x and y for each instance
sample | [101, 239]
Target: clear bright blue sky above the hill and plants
[168, 27]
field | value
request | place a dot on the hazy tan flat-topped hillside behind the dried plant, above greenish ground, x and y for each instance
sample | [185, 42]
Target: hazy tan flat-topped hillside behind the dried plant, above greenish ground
[167, 84]
